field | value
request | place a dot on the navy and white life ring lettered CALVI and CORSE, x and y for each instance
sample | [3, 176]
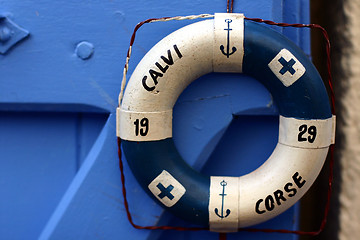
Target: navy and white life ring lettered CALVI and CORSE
[227, 43]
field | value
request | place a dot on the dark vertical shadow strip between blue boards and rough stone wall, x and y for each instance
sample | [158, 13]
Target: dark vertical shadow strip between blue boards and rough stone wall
[331, 16]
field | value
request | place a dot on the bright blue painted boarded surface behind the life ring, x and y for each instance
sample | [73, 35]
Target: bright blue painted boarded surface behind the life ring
[59, 173]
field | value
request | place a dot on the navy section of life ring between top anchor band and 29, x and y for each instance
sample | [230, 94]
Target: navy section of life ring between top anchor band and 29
[307, 97]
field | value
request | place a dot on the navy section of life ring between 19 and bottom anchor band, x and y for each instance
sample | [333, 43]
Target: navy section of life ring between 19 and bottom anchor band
[148, 159]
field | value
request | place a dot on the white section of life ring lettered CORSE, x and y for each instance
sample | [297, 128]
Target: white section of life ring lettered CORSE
[273, 175]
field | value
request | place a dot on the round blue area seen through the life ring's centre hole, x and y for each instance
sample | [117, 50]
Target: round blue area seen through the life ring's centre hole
[225, 119]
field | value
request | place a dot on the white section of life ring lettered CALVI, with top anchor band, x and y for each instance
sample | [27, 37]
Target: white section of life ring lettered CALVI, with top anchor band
[196, 60]
